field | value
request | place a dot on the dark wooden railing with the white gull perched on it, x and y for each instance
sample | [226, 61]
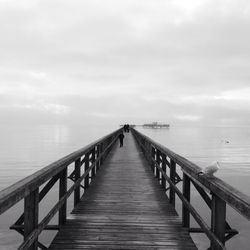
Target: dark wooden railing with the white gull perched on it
[213, 191]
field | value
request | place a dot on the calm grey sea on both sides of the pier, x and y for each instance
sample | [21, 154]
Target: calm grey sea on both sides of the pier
[24, 149]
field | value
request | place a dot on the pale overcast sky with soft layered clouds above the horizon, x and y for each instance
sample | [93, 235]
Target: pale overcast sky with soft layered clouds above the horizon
[115, 61]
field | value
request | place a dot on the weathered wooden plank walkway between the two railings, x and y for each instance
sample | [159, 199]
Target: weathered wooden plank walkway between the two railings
[124, 208]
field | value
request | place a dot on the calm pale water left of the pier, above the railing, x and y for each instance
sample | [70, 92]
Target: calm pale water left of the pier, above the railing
[26, 149]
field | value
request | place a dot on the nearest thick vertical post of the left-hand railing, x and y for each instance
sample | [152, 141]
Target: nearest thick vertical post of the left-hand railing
[31, 203]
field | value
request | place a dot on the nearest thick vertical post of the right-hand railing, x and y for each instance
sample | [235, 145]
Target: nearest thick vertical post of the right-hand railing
[218, 219]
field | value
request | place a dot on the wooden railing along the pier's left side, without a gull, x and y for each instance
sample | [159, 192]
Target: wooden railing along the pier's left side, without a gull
[86, 163]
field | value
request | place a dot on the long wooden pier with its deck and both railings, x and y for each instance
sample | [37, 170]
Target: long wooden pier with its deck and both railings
[128, 199]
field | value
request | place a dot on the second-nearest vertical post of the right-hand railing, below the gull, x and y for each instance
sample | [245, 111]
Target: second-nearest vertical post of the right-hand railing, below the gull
[186, 194]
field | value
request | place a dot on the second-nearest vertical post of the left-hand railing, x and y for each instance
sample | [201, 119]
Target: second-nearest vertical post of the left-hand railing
[62, 192]
